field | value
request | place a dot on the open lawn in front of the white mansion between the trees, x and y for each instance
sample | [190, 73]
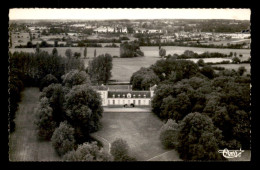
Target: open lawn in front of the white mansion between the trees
[139, 129]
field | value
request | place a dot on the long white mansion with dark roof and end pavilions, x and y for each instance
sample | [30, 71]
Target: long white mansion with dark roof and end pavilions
[122, 97]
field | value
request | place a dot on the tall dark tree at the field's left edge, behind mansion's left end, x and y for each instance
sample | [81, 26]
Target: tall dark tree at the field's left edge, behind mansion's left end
[100, 68]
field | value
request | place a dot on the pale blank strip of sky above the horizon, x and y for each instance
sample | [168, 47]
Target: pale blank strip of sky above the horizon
[102, 14]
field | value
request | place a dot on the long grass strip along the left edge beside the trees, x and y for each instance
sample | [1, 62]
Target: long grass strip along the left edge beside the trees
[23, 142]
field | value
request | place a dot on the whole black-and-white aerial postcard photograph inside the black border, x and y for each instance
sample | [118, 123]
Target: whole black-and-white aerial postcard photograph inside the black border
[129, 85]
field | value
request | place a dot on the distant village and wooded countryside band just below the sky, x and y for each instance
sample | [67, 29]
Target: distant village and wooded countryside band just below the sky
[168, 31]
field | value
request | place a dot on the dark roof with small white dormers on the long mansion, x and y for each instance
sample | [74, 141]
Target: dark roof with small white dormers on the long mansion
[129, 94]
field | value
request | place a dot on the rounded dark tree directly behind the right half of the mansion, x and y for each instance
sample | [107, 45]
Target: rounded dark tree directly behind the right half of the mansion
[143, 79]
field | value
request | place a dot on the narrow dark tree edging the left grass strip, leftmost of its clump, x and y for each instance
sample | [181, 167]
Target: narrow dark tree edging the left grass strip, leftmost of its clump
[44, 120]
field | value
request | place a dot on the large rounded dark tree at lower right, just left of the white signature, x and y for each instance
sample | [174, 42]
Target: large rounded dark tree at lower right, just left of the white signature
[198, 138]
